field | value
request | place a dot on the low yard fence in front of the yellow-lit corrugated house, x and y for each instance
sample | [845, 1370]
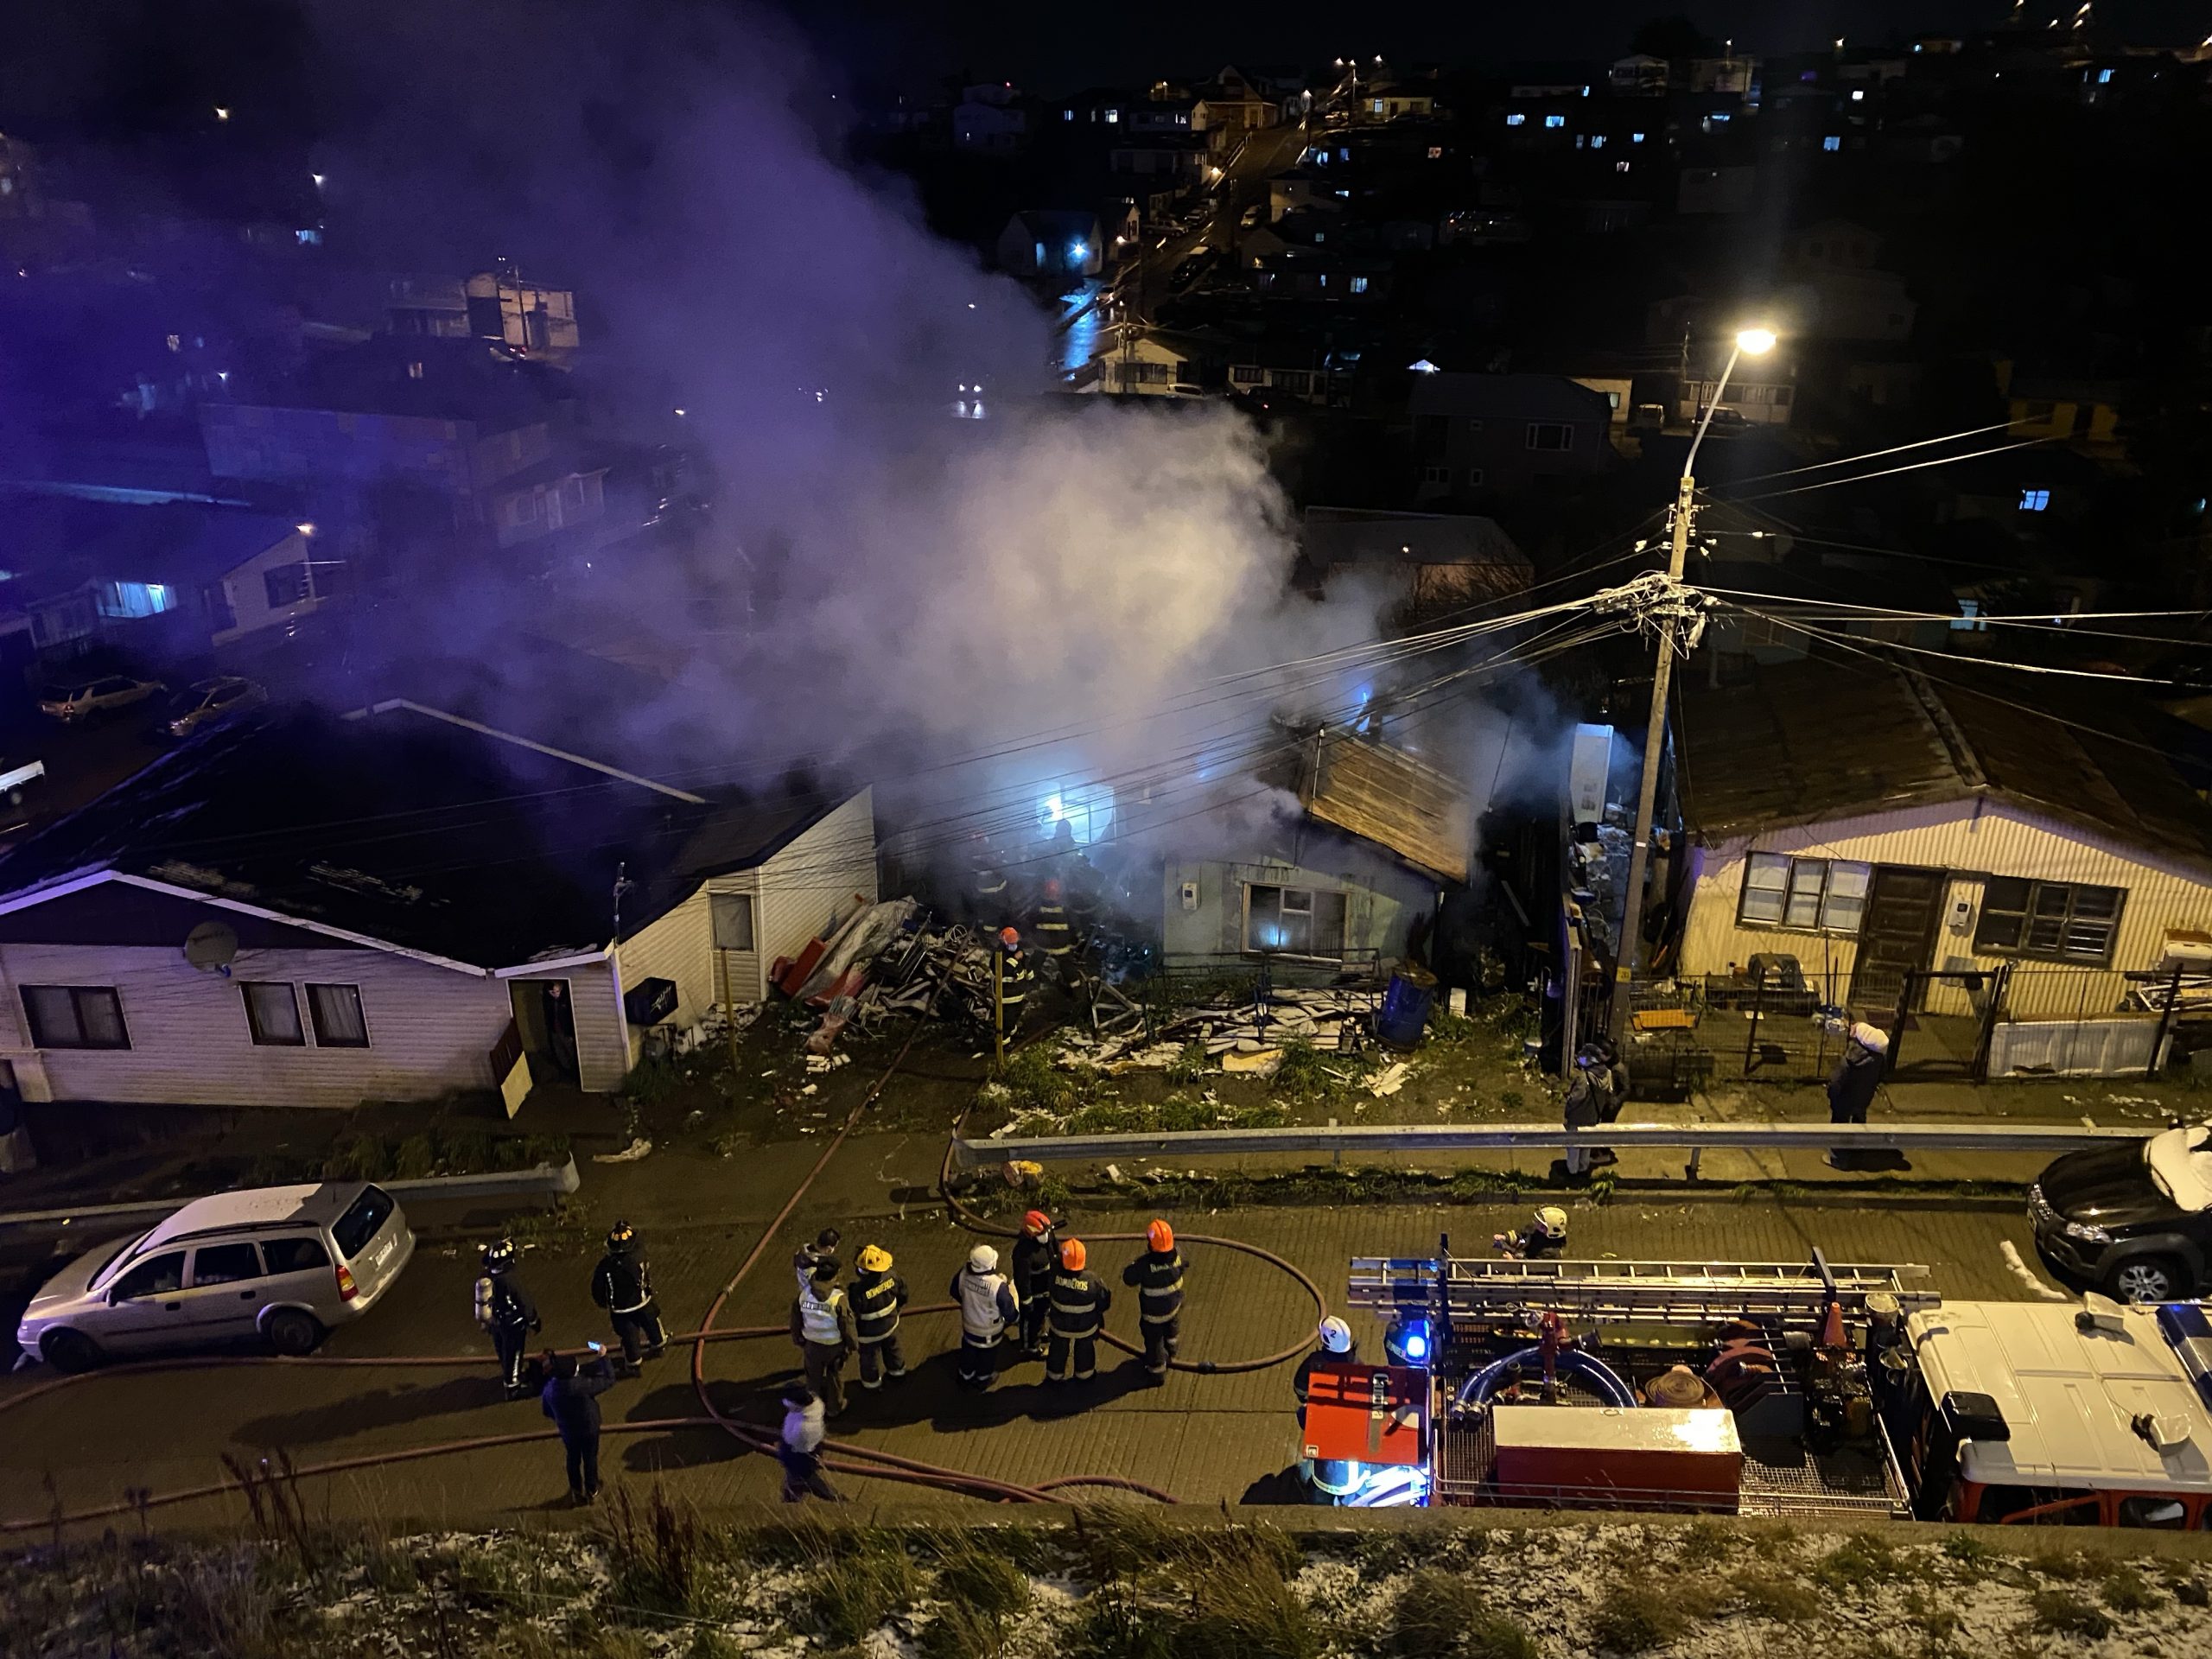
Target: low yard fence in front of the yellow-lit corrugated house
[1945, 1025]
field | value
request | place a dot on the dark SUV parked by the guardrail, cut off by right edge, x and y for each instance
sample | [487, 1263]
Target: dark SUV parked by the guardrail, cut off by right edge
[2136, 1220]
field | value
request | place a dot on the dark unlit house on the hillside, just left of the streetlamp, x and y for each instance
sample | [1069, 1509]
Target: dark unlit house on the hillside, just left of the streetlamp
[1503, 432]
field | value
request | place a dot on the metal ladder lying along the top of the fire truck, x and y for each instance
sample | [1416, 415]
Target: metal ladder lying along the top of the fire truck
[1490, 1288]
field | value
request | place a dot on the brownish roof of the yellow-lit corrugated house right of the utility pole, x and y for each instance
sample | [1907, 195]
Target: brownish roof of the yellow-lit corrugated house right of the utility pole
[1824, 740]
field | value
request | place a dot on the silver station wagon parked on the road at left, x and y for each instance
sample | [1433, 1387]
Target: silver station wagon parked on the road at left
[275, 1262]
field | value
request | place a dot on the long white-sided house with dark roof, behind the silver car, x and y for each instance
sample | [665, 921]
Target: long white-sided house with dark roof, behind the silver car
[304, 910]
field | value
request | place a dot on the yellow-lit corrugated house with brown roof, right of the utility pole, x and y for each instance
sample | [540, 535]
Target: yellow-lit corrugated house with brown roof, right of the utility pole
[1877, 824]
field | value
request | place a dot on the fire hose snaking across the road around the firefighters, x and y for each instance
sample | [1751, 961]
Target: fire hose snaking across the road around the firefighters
[842, 1459]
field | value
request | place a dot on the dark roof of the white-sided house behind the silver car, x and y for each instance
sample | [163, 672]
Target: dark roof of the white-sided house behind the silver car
[408, 831]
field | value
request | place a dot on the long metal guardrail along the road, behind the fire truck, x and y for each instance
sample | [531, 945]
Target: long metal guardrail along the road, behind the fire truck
[1485, 1138]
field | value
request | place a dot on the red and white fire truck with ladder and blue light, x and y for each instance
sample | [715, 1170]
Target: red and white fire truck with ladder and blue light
[1762, 1390]
